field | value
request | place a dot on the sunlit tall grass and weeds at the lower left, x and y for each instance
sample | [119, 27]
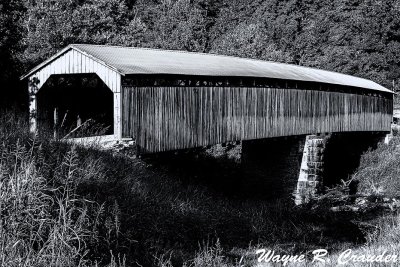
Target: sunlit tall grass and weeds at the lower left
[43, 222]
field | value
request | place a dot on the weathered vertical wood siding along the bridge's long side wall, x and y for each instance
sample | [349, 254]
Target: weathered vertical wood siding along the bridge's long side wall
[170, 118]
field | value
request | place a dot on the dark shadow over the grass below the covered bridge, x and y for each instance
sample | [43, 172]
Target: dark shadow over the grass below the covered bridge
[173, 203]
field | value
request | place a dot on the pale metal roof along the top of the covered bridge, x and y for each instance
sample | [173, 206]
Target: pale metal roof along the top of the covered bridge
[132, 60]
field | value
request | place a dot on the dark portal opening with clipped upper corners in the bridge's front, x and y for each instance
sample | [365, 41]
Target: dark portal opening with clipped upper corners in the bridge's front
[75, 106]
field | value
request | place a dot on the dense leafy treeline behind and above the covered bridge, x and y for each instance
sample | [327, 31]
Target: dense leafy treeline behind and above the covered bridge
[358, 37]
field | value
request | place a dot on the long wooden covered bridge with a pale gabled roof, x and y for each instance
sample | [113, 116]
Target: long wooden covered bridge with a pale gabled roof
[170, 100]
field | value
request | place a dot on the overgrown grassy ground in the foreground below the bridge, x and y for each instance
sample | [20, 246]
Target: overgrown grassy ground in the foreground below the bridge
[63, 205]
